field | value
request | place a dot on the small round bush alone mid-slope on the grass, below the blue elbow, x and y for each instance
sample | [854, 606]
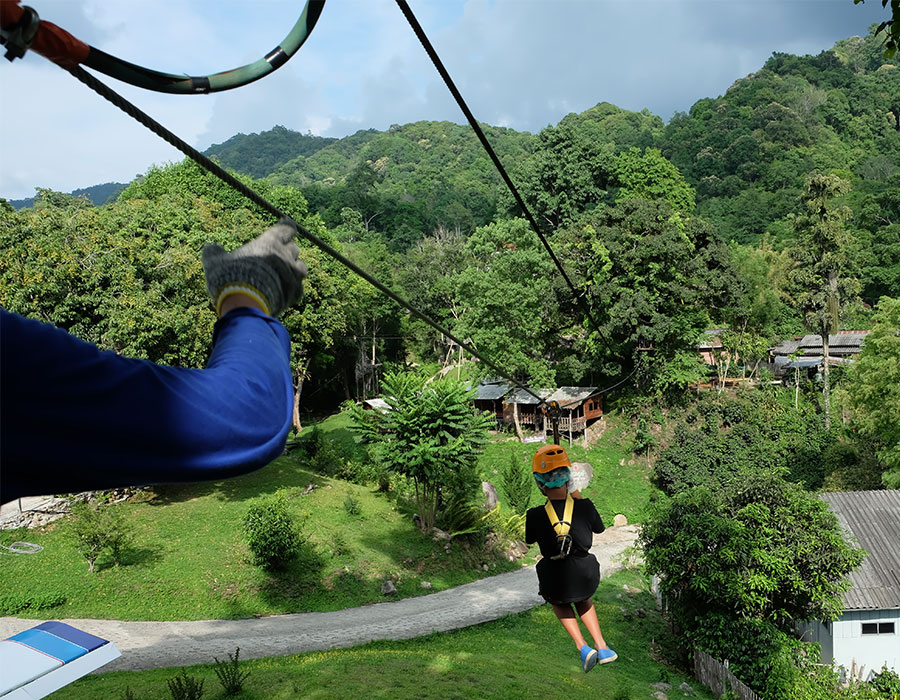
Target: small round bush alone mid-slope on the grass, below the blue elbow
[272, 534]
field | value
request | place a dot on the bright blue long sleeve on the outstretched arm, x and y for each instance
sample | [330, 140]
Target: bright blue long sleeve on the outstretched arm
[75, 418]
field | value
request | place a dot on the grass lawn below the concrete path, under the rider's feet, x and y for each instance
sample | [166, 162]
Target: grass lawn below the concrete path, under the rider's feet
[525, 656]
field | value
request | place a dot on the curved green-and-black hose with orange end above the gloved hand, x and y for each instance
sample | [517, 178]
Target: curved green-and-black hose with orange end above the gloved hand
[23, 30]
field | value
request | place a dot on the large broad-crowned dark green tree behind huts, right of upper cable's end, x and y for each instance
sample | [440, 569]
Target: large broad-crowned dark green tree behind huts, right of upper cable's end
[651, 279]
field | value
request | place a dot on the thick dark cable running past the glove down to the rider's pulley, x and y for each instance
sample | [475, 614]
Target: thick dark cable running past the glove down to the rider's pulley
[136, 113]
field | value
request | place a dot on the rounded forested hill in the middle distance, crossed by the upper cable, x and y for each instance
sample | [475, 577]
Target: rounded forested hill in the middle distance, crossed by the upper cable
[409, 180]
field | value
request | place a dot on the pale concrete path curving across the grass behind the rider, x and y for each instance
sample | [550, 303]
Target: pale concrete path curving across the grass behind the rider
[166, 644]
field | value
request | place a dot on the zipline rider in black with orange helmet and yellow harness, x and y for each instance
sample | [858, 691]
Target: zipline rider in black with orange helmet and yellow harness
[568, 574]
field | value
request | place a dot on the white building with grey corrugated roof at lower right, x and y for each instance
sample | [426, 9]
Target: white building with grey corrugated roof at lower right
[867, 635]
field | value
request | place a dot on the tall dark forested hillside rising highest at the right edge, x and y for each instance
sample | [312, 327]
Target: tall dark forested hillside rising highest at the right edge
[748, 151]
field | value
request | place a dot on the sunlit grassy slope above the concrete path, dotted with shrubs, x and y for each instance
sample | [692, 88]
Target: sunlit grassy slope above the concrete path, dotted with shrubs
[190, 561]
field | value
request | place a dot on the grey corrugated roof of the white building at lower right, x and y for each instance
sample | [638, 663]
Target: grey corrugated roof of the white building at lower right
[873, 518]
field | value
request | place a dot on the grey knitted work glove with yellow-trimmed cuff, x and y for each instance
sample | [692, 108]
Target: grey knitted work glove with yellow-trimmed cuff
[266, 269]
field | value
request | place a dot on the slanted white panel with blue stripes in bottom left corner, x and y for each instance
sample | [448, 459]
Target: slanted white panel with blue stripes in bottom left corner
[43, 659]
